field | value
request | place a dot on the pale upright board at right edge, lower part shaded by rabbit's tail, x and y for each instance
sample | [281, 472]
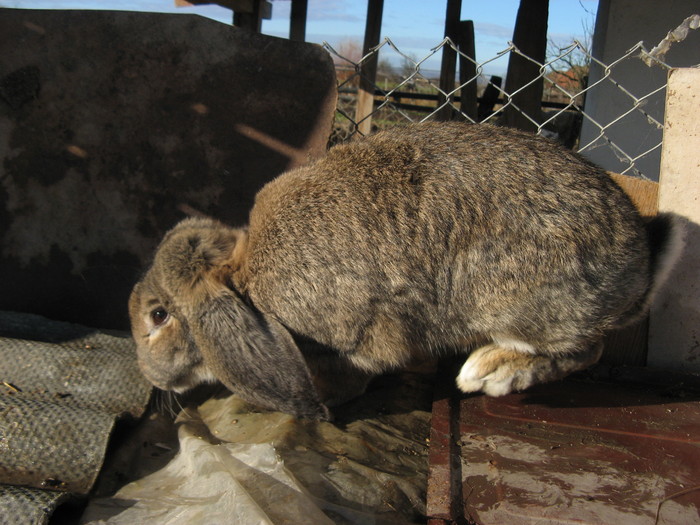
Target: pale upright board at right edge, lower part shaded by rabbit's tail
[674, 331]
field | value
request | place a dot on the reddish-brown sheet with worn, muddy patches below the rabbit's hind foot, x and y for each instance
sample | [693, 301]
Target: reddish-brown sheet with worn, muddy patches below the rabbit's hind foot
[572, 451]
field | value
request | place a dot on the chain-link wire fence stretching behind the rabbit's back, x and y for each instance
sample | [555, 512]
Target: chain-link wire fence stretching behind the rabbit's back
[574, 83]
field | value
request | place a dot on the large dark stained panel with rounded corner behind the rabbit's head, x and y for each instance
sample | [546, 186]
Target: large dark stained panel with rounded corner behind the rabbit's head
[114, 124]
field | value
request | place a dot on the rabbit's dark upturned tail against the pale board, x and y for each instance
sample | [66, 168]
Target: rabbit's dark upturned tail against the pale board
[666, 234]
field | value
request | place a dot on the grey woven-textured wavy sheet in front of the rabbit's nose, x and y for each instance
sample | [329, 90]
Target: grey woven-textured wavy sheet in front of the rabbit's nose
[62, 388]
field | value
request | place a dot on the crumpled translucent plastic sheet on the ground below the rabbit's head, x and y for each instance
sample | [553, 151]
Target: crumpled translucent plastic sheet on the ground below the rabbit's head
[239, 465]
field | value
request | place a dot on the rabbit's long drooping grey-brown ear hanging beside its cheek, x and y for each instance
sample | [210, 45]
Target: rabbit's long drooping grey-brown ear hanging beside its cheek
[255, 356]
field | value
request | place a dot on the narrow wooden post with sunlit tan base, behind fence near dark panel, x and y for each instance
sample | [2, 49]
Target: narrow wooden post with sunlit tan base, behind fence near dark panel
[368, 70]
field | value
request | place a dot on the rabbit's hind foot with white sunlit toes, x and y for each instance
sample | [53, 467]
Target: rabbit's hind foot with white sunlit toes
[499, 369]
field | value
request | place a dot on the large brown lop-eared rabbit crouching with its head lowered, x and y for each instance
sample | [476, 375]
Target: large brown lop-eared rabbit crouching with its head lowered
[418, 241]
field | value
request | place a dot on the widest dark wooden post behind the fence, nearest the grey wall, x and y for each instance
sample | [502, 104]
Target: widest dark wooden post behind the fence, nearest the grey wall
[530, 37]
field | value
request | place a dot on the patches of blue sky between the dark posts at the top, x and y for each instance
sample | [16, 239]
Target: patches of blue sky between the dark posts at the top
[415, 26]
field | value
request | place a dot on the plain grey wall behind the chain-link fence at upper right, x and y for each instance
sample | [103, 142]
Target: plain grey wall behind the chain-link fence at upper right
[619, 26]
